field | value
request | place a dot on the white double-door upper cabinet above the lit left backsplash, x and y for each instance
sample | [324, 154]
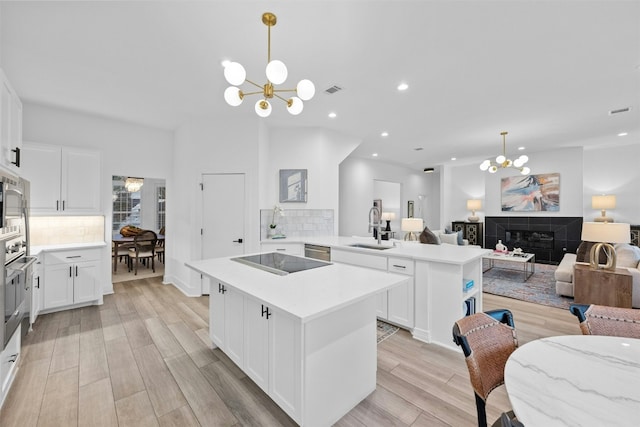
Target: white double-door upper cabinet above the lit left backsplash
[64, 180]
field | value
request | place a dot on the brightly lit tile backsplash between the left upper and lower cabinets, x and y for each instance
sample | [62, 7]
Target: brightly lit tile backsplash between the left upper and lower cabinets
[54, 230]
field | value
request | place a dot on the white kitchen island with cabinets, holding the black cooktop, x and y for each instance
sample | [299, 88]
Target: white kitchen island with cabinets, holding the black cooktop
[308, 339]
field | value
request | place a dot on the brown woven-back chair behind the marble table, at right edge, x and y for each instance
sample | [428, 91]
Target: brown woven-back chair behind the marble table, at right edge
[604, 320]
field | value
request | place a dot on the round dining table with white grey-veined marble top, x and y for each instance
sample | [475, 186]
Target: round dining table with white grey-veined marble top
[575, 380]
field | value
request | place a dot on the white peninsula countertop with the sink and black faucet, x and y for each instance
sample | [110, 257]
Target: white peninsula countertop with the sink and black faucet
[445, 253]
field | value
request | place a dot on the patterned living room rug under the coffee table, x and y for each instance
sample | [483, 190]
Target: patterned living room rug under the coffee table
[540, 288]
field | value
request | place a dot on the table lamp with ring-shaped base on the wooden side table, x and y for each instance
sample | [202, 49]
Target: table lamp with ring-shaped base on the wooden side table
[603, 234]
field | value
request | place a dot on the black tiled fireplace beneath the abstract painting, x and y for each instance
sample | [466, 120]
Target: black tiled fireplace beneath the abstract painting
[549, 238]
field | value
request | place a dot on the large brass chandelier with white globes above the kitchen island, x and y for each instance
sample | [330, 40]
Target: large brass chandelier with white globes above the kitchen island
[276, 73]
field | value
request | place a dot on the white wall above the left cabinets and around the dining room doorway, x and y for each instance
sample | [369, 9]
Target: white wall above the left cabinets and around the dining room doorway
[127, 149]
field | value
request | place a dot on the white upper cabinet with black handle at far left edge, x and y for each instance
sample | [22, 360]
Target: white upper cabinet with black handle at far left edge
[10, 126]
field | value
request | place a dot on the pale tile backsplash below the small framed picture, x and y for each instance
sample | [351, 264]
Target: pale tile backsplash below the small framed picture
[299, 222]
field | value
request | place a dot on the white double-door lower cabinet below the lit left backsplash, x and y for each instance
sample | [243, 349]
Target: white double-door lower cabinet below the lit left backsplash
[71, 277]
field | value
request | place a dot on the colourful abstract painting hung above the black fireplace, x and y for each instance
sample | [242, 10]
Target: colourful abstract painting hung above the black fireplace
[531, 193]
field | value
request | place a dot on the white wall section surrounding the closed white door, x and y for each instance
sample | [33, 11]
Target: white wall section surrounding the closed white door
[228, 144]
